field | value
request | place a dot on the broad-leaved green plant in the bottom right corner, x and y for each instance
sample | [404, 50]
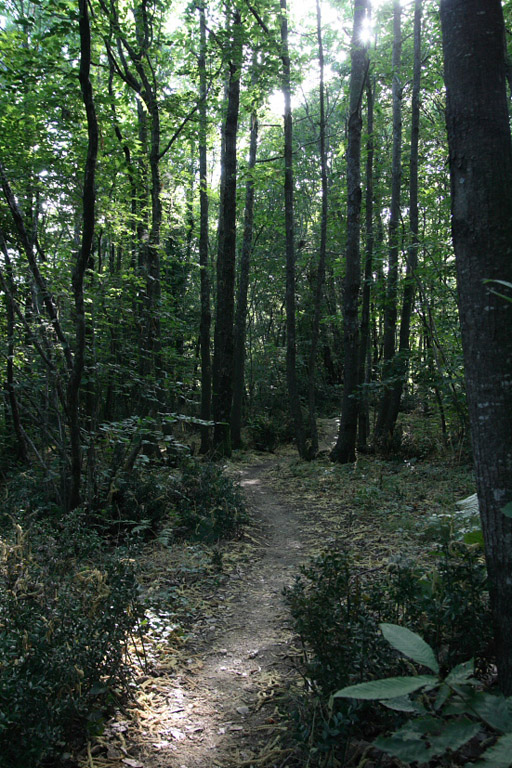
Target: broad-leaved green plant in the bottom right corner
[442, 723]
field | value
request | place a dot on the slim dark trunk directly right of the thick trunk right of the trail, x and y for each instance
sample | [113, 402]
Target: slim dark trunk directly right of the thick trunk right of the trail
[364, 369]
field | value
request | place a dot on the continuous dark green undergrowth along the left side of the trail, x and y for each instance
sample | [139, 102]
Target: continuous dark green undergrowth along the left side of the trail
[70, 602]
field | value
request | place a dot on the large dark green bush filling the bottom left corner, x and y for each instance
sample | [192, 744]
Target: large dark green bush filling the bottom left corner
[66, 608]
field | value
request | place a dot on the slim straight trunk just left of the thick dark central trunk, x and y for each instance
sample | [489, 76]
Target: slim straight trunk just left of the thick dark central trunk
[206, 317]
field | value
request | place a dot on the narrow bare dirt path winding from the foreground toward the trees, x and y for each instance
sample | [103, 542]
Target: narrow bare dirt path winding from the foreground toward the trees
[246, 662]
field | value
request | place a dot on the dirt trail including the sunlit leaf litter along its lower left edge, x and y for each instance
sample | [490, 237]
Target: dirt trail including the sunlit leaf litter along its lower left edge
[224, 713]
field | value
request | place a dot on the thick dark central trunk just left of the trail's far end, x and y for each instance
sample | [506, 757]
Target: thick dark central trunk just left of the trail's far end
[226, 258]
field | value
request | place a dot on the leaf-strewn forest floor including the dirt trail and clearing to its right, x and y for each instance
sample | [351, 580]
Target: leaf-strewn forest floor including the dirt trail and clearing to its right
[219, 671]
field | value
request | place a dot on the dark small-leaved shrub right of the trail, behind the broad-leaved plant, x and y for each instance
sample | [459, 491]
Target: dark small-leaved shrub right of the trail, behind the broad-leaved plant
[336, 610]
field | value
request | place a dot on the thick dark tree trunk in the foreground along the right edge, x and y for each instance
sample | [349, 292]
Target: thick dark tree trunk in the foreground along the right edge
[481, 182]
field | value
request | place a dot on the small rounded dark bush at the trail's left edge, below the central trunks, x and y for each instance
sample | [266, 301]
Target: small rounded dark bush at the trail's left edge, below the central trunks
[208, 504]
